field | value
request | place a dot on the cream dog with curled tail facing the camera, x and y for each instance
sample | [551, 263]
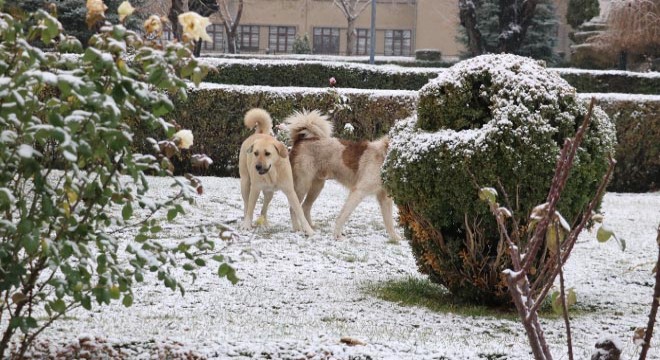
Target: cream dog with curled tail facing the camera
[263, 165]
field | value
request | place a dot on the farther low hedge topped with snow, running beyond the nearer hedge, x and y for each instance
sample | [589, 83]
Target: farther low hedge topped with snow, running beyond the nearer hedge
[362, 76]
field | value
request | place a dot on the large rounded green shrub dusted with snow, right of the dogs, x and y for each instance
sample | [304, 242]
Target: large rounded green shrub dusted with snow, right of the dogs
[490, 121]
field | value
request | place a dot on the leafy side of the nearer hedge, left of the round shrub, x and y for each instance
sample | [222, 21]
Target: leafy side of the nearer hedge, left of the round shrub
[216, 115]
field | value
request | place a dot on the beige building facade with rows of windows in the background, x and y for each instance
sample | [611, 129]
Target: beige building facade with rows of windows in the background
[402, 26]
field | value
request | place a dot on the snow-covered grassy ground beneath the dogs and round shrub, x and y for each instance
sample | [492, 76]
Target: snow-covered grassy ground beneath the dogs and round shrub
[299, 296]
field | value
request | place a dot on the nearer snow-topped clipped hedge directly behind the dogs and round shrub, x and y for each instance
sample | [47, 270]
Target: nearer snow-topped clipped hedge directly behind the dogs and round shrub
[215, 114]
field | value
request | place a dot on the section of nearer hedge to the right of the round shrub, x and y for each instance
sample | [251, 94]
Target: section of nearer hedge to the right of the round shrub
[638, 151]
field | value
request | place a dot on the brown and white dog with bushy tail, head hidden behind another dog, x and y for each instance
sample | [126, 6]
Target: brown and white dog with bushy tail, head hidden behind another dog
[317, 156]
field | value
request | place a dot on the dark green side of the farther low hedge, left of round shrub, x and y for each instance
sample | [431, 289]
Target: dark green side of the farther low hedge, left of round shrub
[317, 75]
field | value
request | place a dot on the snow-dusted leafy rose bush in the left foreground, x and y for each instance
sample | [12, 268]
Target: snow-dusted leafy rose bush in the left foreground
[71, 183]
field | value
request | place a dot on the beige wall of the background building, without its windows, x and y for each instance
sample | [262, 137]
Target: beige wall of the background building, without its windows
[434, 23]
